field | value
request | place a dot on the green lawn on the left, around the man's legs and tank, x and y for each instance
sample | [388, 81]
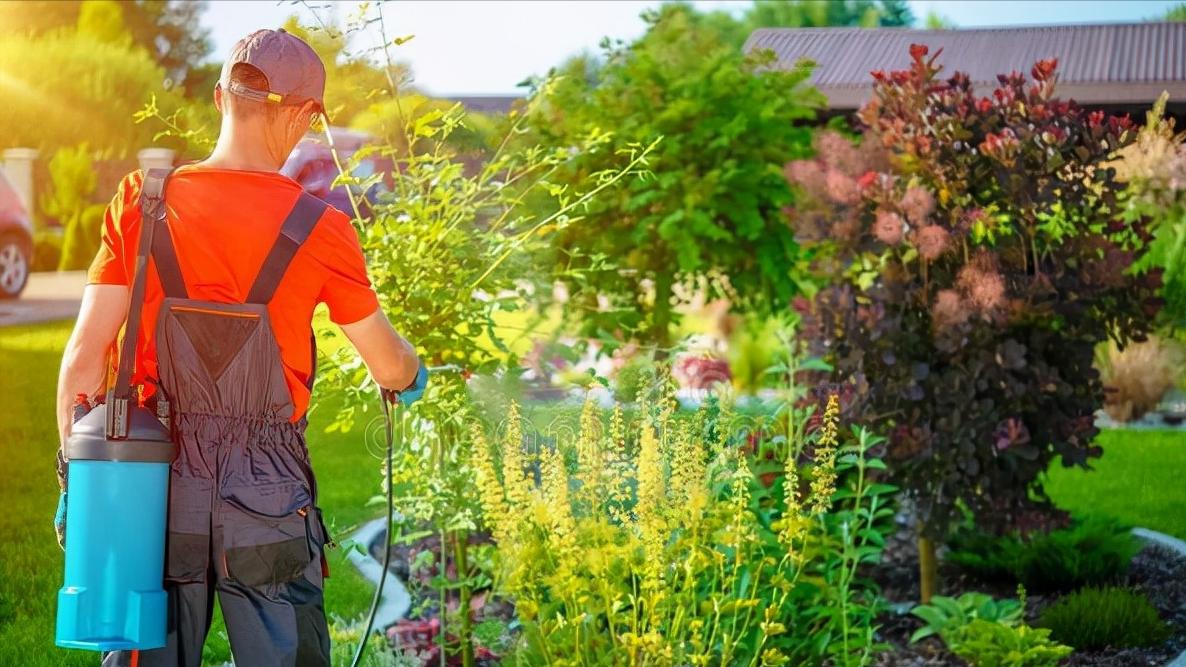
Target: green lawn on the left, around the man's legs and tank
[30, 560]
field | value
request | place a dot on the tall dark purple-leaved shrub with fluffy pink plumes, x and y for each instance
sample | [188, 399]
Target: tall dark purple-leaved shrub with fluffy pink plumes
[977, 261]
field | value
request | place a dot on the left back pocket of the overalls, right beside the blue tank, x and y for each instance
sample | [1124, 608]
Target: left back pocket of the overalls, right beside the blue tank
[188, 547]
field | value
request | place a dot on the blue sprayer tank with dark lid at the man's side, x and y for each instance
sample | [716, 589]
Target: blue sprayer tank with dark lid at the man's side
[118, 499]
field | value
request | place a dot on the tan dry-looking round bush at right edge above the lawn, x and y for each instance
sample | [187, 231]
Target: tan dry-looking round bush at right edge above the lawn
[1138, 377]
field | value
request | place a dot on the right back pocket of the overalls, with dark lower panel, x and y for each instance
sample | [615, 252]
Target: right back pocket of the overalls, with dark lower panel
[266, 537]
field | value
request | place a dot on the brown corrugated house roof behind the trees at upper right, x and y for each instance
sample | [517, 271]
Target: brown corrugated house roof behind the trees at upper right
[1098, 65]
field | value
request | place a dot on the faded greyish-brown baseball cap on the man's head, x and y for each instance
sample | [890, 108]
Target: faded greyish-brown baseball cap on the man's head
[294, 69]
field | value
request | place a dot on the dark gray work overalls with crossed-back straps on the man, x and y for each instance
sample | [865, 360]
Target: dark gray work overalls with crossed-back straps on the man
[243, 511]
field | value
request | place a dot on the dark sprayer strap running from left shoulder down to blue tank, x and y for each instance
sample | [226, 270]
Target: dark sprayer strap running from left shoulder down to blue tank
[152, 211]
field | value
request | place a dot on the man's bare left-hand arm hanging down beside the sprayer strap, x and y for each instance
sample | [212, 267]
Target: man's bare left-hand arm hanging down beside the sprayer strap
[85, 364]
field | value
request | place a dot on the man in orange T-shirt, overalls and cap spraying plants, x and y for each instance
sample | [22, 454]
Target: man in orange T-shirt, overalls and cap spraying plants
[239, 263]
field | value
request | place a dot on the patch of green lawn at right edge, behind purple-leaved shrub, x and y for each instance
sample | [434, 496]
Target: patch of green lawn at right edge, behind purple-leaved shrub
[1139, 481]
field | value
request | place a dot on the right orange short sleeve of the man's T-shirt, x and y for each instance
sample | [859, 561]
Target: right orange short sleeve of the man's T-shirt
[347, 290]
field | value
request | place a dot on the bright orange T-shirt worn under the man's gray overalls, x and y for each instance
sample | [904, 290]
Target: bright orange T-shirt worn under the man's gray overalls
[224, 223]
